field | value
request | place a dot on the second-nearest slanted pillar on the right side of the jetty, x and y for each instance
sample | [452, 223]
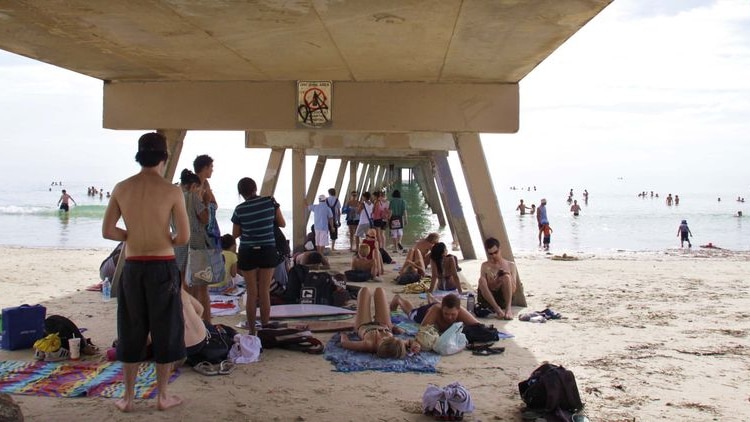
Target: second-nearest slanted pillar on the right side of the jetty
[452, 204]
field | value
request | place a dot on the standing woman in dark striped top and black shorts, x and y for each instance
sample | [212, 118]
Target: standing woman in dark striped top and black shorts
[253, 222]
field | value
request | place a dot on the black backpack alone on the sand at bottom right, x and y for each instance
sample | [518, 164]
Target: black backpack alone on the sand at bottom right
[550, 387]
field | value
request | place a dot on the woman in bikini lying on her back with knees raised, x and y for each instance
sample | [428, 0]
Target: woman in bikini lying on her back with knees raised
[376, 333]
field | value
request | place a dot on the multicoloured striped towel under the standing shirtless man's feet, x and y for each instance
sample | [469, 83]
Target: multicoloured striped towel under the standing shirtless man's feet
[75, 379]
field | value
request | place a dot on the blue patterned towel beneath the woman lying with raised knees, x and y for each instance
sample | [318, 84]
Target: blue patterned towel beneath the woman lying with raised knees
[350, 361]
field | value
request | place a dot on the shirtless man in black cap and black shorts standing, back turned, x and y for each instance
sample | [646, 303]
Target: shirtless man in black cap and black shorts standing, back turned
[149, 290]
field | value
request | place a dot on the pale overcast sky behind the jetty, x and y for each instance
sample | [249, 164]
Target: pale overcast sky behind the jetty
[654, 92]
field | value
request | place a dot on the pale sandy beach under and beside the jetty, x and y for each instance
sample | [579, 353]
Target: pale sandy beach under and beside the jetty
[648, 335]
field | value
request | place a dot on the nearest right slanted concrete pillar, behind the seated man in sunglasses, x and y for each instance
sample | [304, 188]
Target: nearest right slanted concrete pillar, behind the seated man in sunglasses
[484, 199]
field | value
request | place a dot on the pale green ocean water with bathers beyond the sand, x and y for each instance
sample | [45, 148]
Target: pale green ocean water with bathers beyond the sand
[612, 220]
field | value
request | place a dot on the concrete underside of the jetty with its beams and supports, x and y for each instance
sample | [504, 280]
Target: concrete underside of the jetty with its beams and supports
[378, 84]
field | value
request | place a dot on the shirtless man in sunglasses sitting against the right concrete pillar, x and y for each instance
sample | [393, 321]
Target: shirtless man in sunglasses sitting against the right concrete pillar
[497, 281]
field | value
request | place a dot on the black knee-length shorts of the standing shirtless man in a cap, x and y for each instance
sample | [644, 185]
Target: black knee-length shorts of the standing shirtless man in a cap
[149, 301]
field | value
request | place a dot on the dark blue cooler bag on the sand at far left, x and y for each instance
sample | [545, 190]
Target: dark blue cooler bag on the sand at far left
[22, 326]
